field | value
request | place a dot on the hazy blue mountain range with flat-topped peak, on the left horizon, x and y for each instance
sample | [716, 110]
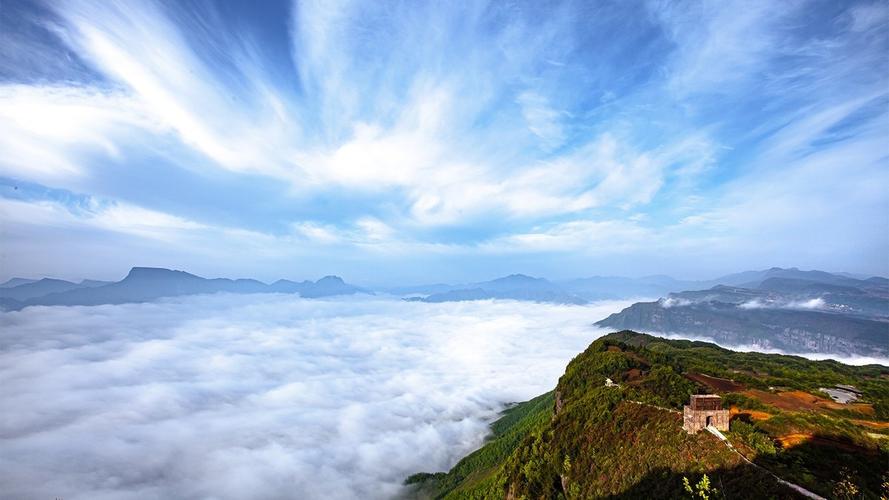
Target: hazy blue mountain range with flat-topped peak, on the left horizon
[144, 284]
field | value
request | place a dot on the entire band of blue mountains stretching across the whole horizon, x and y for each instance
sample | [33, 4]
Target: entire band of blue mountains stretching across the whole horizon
[782, 308]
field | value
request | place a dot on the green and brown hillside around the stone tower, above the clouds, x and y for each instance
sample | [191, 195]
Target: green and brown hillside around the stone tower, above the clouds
[594, 441]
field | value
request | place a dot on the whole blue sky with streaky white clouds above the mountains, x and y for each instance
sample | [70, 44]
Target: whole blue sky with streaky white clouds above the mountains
[446, 141]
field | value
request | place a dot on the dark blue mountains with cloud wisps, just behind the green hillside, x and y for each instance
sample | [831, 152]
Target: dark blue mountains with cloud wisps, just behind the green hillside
[789, 309]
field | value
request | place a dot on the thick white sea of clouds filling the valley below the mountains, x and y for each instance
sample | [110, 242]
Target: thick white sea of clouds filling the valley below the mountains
[265, 396]
